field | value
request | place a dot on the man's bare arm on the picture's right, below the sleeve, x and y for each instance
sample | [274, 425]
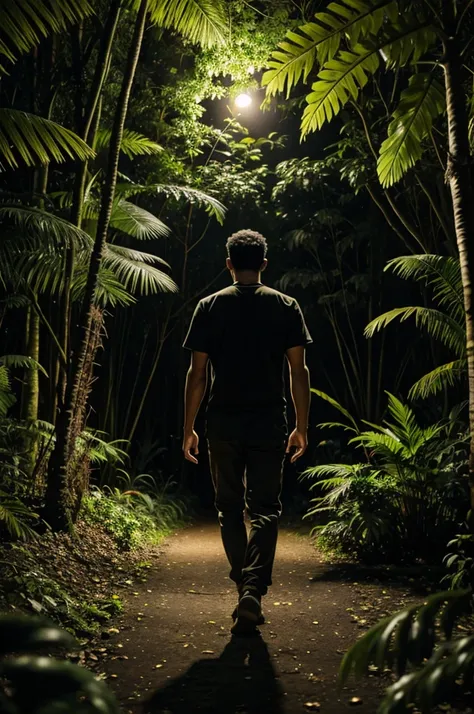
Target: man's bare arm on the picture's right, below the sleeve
[301, 395]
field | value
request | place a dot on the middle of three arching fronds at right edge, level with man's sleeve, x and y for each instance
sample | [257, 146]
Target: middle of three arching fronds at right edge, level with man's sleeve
[439, 325]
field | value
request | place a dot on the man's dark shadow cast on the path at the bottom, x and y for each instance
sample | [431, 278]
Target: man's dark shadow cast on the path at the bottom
[241, 680]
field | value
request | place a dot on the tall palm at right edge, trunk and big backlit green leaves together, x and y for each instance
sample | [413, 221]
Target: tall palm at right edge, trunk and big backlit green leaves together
[427, 45]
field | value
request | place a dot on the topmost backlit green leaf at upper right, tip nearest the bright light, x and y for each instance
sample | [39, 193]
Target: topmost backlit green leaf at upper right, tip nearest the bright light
[320, 40]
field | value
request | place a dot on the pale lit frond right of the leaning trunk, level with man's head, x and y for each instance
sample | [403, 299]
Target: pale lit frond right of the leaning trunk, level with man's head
[136, 270]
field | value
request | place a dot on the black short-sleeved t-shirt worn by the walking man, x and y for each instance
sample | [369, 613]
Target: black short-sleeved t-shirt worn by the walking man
[246, 331]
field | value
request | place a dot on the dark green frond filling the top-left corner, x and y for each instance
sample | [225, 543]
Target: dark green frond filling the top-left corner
[24, 22]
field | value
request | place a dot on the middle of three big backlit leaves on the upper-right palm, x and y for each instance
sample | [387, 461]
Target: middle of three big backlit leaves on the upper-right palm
[341, 79]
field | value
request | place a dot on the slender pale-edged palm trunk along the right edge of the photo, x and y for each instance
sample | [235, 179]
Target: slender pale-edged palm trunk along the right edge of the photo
[462, 194]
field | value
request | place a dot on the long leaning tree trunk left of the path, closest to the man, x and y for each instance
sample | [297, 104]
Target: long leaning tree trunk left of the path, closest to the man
[57, 512]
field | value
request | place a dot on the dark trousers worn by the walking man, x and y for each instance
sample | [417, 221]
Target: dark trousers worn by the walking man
[248, 475]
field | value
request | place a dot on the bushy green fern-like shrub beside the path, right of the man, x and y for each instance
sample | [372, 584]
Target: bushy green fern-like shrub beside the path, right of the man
[405, 500]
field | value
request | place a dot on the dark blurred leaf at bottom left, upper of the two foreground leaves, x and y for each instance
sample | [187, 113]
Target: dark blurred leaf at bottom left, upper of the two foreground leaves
[19, 633]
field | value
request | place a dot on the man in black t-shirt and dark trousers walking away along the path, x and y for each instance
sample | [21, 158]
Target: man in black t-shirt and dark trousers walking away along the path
[245, 331]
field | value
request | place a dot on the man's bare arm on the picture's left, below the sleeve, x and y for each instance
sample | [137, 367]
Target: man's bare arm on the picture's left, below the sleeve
[196, 383]
